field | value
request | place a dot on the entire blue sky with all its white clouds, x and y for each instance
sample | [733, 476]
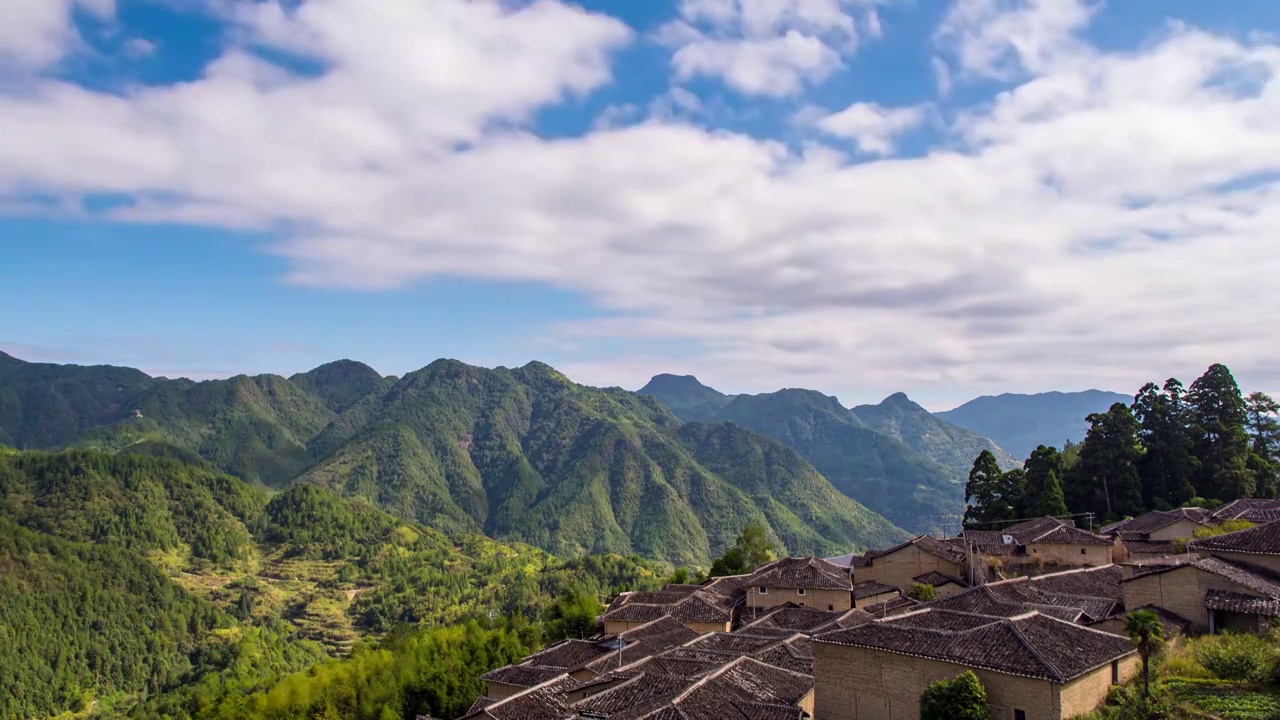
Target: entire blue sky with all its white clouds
[947, 198]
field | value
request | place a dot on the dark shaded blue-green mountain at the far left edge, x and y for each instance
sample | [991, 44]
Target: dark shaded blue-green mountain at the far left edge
[44, 405]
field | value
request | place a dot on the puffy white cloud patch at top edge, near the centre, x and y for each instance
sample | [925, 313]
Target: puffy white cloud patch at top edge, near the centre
[765, 47]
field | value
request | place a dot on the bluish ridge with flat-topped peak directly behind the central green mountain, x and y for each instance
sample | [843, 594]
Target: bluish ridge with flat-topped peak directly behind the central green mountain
[876, 470]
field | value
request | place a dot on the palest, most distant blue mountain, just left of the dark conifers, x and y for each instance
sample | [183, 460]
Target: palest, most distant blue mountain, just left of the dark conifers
[1020, 423]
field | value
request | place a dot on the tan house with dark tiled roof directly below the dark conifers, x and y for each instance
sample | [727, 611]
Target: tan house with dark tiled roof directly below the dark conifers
[1035, 548]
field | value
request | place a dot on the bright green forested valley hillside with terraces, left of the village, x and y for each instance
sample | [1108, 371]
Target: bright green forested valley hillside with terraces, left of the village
[148, 587]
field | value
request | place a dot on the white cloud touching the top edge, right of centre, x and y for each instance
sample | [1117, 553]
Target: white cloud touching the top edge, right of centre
[1003, 38]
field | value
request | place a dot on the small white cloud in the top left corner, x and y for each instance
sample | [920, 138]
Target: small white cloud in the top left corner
[35, 34]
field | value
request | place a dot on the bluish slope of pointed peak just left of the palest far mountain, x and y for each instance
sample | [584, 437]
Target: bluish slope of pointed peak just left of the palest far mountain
[956, 449]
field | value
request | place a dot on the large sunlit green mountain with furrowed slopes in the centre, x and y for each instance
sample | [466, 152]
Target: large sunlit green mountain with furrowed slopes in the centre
[529, 455]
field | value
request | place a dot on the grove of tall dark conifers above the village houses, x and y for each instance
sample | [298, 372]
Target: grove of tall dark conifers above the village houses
[1173, 446]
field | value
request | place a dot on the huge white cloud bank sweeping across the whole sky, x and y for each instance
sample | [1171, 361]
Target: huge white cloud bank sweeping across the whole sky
[1108, 221]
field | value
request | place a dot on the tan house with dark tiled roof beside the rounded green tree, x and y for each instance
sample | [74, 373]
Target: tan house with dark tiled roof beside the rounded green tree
[808, 582]
